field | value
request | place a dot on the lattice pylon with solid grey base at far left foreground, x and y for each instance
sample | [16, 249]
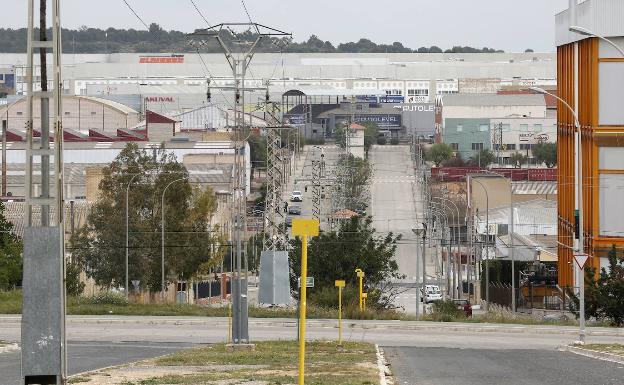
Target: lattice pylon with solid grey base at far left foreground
[43, 311]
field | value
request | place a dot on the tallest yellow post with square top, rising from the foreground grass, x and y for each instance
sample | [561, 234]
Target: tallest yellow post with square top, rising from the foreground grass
[303, 228]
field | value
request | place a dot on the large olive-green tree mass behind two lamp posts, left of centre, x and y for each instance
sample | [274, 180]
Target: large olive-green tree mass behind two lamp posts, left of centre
[99, 246]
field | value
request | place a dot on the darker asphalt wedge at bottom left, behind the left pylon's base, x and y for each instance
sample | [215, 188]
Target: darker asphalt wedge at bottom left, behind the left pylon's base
[85, 356]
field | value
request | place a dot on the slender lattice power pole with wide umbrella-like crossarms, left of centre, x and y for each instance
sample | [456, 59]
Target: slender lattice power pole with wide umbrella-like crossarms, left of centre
[239, 63]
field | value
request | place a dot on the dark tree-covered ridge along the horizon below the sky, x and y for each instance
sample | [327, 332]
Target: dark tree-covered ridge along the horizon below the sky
[94, 40]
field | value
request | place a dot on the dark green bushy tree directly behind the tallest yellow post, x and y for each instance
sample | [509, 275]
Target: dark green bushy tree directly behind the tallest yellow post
[336, 254]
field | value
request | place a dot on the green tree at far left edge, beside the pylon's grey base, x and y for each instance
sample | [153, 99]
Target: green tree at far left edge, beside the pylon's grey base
[10, 254]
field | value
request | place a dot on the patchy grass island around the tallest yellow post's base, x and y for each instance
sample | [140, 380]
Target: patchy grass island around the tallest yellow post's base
[275, 362]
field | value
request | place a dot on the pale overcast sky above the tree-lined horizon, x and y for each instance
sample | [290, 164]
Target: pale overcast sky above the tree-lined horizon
[512, 25]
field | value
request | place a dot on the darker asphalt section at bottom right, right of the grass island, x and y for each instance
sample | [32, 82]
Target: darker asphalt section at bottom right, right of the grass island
[450, 366]
